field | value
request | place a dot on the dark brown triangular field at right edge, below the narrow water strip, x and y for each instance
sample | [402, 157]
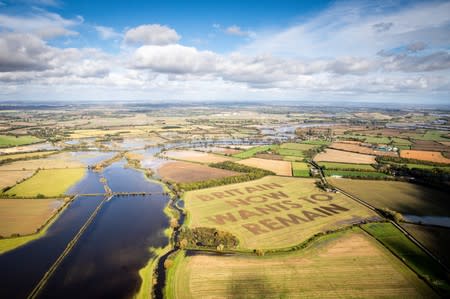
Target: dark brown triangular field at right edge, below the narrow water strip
[436, 239]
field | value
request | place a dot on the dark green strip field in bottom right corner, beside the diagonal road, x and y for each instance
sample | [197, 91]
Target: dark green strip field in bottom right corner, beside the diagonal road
[412, 255]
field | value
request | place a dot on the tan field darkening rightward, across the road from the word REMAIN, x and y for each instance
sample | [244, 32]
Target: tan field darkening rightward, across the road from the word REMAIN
[402, 197]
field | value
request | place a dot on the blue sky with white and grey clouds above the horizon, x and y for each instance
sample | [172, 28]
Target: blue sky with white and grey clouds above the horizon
[333, 51]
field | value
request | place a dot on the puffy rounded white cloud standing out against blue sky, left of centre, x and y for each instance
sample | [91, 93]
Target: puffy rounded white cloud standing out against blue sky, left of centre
[152, 35]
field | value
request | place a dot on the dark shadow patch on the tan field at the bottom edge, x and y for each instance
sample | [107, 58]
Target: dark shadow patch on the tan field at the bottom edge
[254, 286]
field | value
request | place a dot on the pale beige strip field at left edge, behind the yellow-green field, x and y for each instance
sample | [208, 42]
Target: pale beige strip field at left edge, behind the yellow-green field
[62, 160]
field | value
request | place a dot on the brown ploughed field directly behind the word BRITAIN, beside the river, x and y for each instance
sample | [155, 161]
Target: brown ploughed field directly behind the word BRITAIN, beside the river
[186, 172]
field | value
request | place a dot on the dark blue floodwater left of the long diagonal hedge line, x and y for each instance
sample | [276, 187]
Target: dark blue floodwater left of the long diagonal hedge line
[22, 268]
